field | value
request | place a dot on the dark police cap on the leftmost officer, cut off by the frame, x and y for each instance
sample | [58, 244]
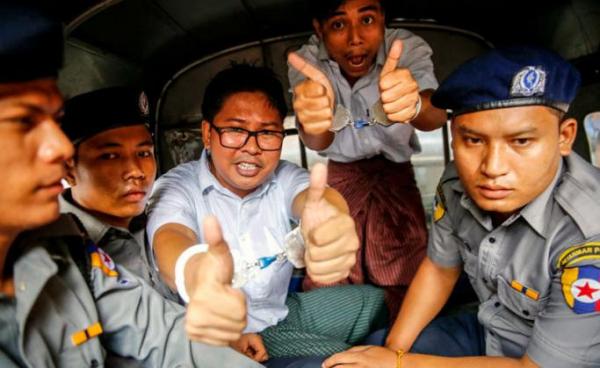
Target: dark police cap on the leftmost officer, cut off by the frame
[31, 41]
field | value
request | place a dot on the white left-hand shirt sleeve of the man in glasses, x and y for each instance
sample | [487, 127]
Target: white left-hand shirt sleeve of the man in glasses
[172, 202]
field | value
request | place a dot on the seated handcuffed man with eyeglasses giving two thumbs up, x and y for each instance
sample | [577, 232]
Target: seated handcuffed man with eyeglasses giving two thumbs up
[241, 180]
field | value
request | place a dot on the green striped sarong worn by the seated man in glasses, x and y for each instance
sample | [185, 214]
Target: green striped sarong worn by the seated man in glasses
[326, 321]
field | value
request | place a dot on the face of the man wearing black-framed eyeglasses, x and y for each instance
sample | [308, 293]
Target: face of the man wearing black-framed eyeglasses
[244, 169]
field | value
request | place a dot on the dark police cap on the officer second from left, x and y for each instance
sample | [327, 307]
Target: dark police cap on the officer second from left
[94, 112]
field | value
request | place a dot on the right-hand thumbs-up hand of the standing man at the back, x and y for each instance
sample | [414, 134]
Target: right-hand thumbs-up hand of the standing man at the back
[399, 90]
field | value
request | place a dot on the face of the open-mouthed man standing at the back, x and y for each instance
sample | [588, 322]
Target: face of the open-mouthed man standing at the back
[353, 36]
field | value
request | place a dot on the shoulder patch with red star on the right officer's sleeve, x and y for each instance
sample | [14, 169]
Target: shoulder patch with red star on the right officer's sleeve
[581, 288]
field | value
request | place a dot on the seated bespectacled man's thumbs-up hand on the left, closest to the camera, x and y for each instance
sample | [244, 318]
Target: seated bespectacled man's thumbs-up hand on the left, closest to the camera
[216, 313]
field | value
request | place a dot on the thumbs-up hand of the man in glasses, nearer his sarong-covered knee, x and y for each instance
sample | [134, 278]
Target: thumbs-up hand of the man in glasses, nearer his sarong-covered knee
[329, 234]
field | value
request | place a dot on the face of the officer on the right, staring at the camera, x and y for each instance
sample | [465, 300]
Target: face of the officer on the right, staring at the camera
[507, 157]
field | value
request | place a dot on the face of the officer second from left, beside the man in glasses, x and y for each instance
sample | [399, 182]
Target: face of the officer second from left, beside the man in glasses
[113, 173]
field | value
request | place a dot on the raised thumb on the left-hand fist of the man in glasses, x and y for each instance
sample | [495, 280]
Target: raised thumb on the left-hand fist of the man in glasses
[219, 249]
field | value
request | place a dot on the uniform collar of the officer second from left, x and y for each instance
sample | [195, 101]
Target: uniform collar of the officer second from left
[95, 228]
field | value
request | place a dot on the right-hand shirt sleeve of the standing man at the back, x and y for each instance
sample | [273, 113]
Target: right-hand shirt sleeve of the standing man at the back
[416, 56]
